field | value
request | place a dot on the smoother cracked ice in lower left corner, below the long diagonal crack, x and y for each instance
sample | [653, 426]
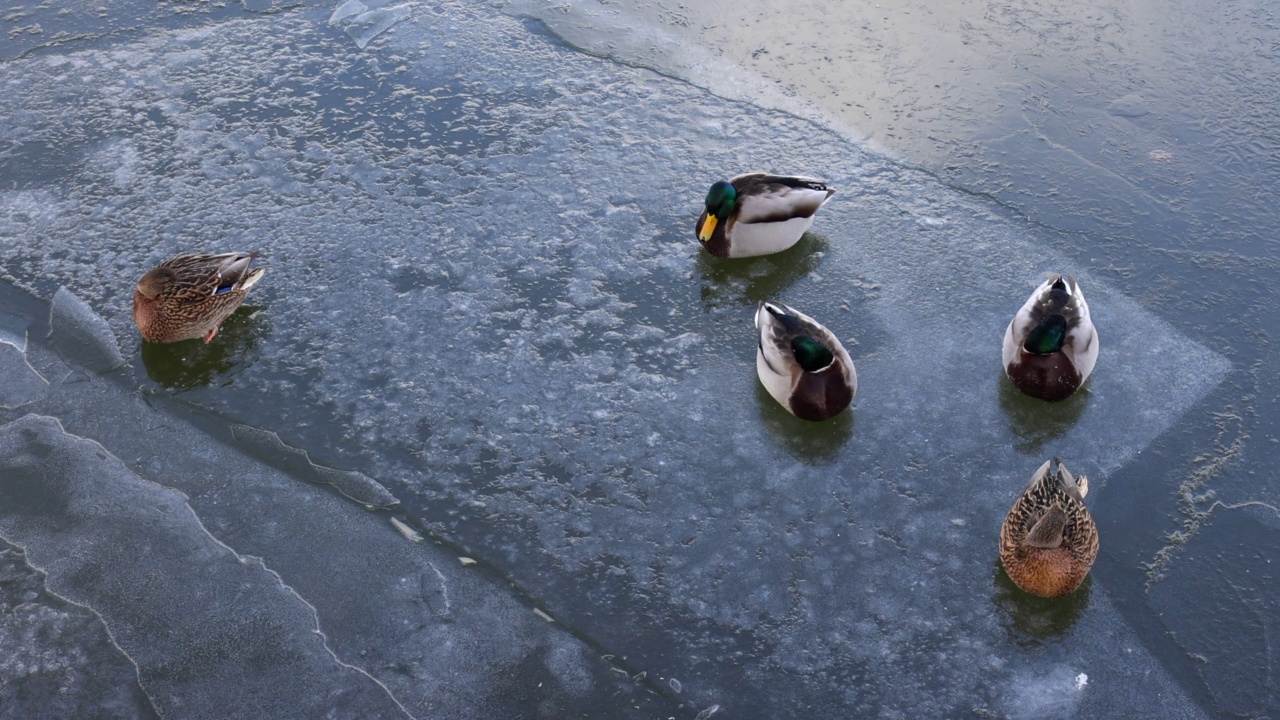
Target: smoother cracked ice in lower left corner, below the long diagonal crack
[221, 577]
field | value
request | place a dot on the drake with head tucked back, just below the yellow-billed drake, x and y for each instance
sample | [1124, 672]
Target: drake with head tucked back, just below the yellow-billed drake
[802, 363]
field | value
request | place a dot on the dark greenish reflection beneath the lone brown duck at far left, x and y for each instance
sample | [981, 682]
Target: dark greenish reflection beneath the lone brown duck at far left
[191, 364]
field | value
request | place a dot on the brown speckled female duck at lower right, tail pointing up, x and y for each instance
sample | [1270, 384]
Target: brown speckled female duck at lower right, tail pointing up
[1049, 540]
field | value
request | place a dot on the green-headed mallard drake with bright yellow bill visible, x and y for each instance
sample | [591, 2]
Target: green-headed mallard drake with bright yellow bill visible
[760, 215]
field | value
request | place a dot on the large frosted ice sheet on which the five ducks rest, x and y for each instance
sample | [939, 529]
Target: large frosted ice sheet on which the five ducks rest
[486, 294]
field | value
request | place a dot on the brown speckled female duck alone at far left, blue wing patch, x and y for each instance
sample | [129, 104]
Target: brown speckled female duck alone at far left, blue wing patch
[190, 297]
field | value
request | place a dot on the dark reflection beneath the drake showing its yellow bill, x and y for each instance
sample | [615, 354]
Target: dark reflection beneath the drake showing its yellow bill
[748, 281]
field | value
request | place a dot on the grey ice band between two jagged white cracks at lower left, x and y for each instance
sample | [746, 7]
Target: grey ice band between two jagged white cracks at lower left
[136, 554]
